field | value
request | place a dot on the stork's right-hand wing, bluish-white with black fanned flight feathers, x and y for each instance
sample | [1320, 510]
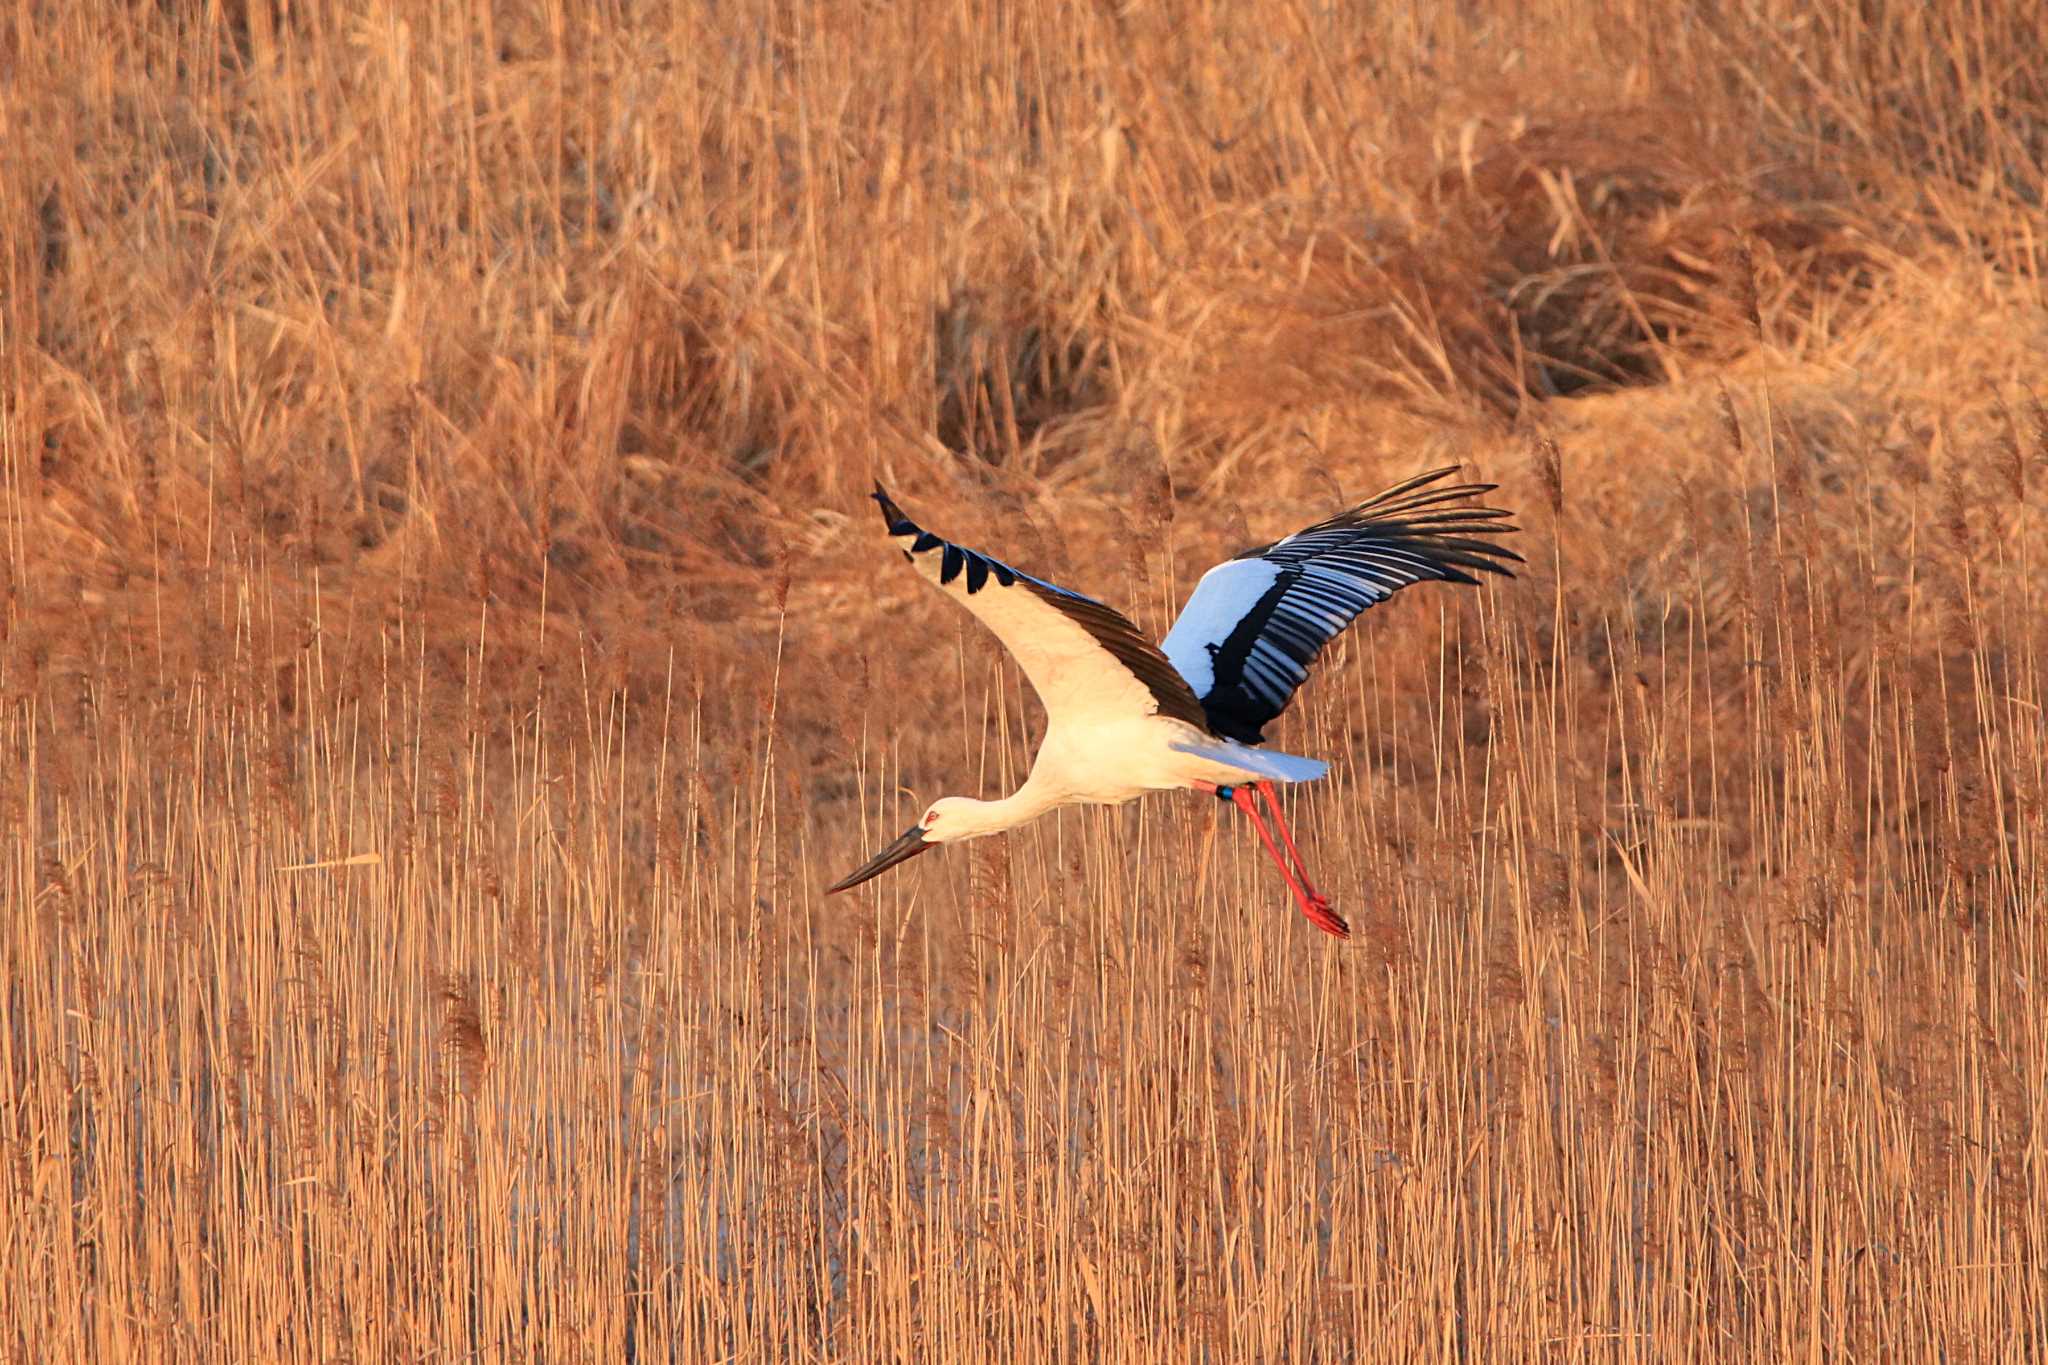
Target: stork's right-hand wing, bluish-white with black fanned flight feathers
[1258, 621]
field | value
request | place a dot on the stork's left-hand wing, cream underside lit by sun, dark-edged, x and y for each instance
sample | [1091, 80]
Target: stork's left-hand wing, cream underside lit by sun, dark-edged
[1076, 652]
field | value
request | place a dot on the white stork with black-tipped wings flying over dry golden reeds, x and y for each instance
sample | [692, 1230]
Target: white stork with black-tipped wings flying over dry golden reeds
[1129, 717]
